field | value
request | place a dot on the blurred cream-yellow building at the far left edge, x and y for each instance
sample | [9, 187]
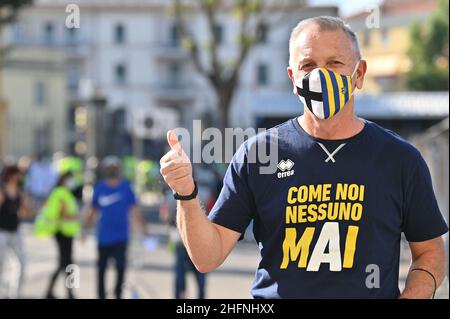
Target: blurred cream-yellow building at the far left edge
[36, 104]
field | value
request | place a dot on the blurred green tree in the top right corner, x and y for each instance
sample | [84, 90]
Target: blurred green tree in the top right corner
[429, 52]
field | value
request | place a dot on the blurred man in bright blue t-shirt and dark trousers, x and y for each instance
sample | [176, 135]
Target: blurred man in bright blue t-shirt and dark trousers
[113, 198]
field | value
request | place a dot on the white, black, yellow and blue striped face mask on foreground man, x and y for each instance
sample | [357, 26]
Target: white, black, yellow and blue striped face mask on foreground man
[325, 92]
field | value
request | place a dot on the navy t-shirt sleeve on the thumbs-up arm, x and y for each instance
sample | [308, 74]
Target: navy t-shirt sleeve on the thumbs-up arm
[234, 208]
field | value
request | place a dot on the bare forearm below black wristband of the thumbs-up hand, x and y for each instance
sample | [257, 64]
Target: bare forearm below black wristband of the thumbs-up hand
[199, 235]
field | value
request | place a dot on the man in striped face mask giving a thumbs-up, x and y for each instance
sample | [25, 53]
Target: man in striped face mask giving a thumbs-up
[329, 222]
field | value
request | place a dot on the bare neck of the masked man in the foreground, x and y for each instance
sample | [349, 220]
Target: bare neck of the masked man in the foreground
[341, 126]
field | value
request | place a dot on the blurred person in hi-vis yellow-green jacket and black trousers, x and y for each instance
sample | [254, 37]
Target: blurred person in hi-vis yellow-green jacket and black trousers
[60, 215]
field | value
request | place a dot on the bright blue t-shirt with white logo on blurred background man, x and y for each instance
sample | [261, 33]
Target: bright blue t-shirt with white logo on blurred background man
[114, 204]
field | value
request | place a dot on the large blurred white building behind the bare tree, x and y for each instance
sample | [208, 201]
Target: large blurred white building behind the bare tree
[128, 51]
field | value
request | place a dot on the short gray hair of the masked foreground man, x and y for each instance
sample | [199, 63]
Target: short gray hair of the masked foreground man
[325, 23]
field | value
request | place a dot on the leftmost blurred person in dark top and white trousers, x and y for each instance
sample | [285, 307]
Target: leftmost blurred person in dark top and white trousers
[13, 209]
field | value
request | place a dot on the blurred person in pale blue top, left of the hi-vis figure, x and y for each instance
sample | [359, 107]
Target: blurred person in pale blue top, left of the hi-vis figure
[40, 180]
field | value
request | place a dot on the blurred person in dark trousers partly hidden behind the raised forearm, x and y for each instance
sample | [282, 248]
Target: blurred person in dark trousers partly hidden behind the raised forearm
[168, 214]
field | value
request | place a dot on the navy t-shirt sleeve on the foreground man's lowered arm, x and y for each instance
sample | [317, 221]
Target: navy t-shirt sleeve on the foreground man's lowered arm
[422, 219]
